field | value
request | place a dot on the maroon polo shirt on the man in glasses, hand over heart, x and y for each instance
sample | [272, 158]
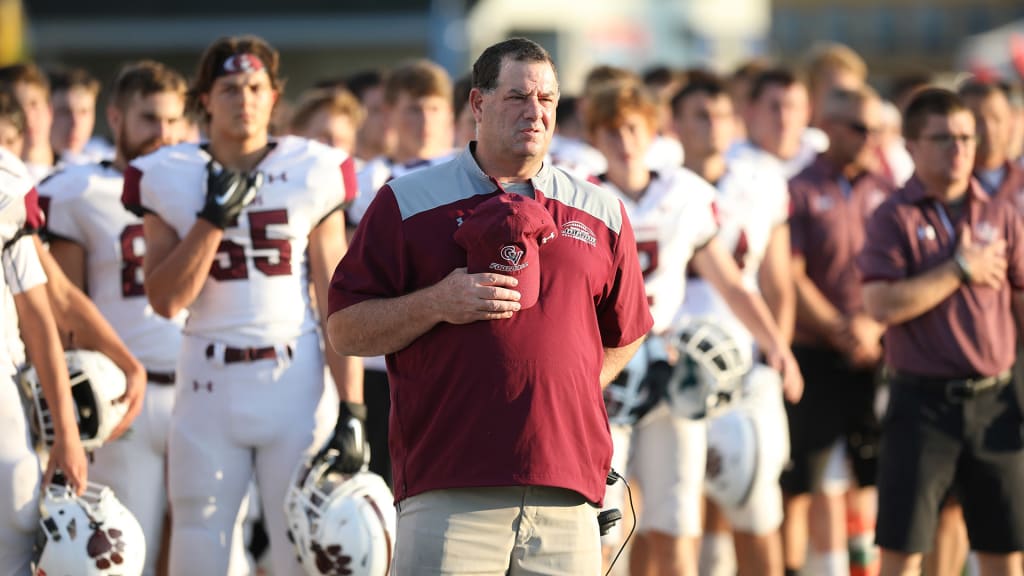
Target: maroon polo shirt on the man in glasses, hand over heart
[970, 334]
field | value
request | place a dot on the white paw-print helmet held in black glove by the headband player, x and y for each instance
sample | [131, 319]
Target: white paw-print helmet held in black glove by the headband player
[340, 524]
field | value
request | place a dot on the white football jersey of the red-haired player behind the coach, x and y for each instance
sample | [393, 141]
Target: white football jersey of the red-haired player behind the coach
[673, 220]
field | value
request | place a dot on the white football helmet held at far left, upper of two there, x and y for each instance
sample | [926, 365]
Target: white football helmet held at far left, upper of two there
[96, 384]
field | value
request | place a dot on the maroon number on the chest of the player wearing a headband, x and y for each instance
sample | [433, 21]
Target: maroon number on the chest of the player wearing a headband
[230, 264]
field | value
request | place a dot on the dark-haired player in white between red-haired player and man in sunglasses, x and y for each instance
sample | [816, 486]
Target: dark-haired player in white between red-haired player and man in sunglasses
[753, 210]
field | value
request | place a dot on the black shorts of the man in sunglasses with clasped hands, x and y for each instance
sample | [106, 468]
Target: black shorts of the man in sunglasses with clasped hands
[838, 404]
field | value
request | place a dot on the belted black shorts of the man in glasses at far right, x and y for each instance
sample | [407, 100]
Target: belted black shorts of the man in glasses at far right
[933, 444]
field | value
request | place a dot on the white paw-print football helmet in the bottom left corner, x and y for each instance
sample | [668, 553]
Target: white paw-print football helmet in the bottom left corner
[90, 536]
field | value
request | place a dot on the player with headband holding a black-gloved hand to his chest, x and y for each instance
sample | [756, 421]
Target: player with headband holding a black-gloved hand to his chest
[236, 230]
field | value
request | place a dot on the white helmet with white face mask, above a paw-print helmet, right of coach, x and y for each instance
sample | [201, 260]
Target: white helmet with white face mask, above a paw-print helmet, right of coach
[709, 372]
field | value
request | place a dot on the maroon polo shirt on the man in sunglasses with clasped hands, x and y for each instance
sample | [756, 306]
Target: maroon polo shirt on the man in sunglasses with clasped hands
[827, 228]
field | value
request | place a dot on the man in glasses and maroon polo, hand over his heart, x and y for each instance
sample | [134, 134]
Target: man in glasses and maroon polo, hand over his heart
[944, 267]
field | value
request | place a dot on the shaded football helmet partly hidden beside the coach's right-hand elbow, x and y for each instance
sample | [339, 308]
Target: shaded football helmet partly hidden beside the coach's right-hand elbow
[641, 386]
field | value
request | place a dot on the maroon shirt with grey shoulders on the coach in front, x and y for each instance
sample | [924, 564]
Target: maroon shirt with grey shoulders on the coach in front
[513, 402]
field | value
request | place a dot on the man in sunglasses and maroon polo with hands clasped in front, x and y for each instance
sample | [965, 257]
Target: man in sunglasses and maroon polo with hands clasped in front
[837, 344]
